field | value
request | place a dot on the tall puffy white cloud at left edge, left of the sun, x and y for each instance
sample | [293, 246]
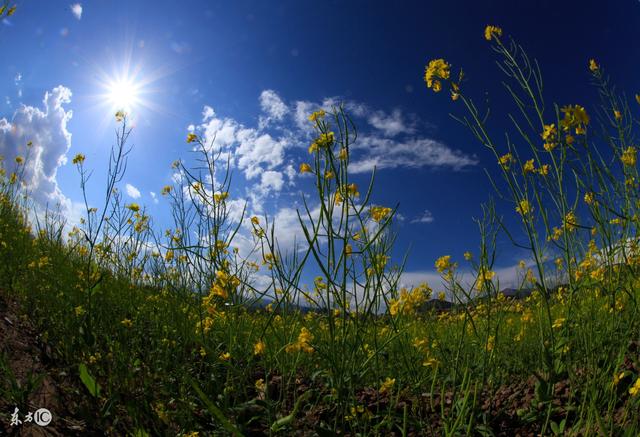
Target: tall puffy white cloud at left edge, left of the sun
[46, 129]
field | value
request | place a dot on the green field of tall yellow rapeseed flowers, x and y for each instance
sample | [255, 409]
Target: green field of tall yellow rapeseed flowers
[168, 332]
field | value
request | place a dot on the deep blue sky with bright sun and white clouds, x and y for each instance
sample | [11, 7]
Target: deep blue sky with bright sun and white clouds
[261, 67]
